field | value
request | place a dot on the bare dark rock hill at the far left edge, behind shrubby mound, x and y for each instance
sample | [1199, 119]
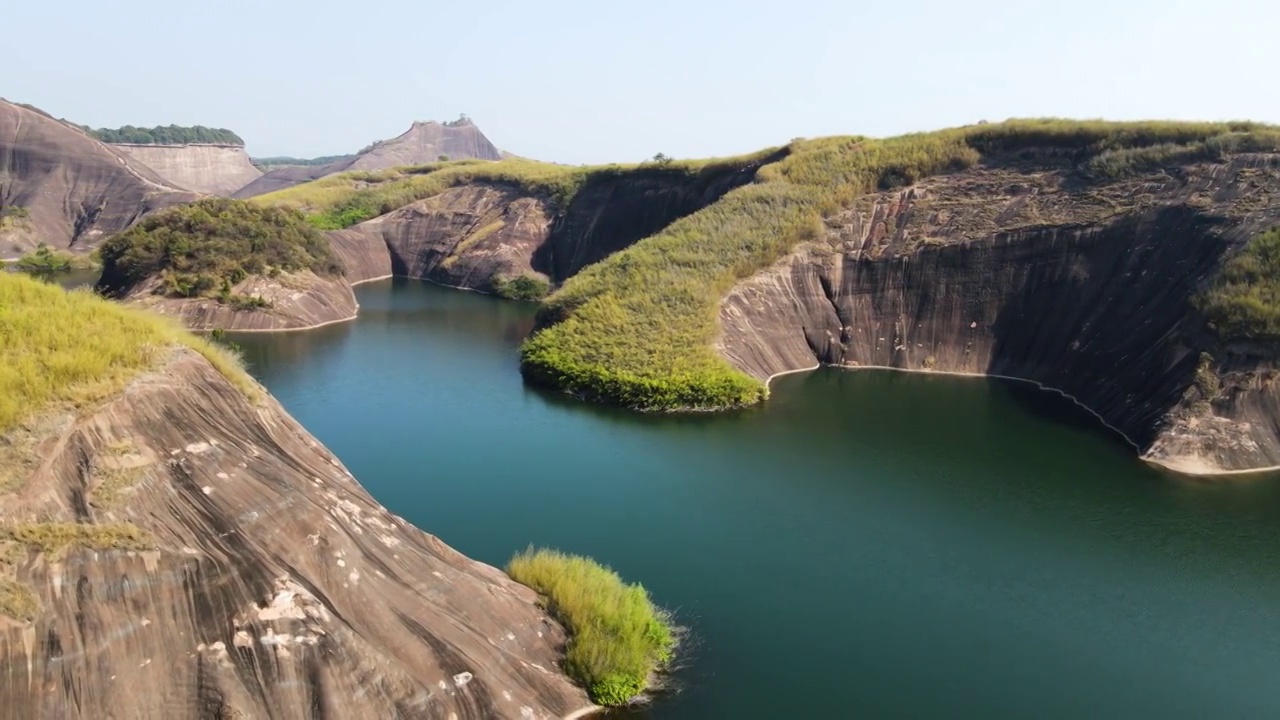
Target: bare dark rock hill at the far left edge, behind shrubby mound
[72, 190]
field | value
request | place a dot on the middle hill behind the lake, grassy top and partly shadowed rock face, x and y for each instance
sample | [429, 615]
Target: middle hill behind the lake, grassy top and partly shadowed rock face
[513, 227]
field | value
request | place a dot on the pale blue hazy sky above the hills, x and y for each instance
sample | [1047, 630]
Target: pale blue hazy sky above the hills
[579, 81]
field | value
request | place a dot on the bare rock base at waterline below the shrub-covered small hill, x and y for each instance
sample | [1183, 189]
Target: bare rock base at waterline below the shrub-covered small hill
[294, 302]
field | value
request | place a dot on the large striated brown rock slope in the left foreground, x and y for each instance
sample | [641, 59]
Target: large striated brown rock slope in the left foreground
[271, 585]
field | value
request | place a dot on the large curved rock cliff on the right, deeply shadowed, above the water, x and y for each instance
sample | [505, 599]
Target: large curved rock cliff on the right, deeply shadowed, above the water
[1030, 275]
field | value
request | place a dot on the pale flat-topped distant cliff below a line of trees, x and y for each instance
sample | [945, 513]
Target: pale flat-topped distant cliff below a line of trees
[211, 170]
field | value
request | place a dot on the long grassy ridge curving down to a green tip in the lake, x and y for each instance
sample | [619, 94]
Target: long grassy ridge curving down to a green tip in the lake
[639, 329]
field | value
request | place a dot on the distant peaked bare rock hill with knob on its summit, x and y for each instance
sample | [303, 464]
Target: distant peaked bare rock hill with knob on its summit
[423, 143]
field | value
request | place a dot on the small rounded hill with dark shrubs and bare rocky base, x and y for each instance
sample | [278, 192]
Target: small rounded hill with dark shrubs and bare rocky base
[230, 265]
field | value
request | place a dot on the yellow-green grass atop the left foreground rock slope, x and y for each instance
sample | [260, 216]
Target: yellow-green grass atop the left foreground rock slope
[62, 349]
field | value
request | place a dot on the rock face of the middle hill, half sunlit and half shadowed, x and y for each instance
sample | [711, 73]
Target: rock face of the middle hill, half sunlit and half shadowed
[473, 235]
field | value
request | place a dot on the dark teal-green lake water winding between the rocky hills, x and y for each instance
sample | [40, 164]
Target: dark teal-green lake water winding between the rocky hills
[868, 545]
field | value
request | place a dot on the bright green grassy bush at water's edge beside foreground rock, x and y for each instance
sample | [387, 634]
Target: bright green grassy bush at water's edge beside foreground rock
[618, 637]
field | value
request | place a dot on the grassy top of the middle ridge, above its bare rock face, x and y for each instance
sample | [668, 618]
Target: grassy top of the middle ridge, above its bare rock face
[342, 200]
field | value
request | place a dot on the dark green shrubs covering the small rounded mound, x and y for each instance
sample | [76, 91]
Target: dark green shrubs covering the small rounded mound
[208, 247]
